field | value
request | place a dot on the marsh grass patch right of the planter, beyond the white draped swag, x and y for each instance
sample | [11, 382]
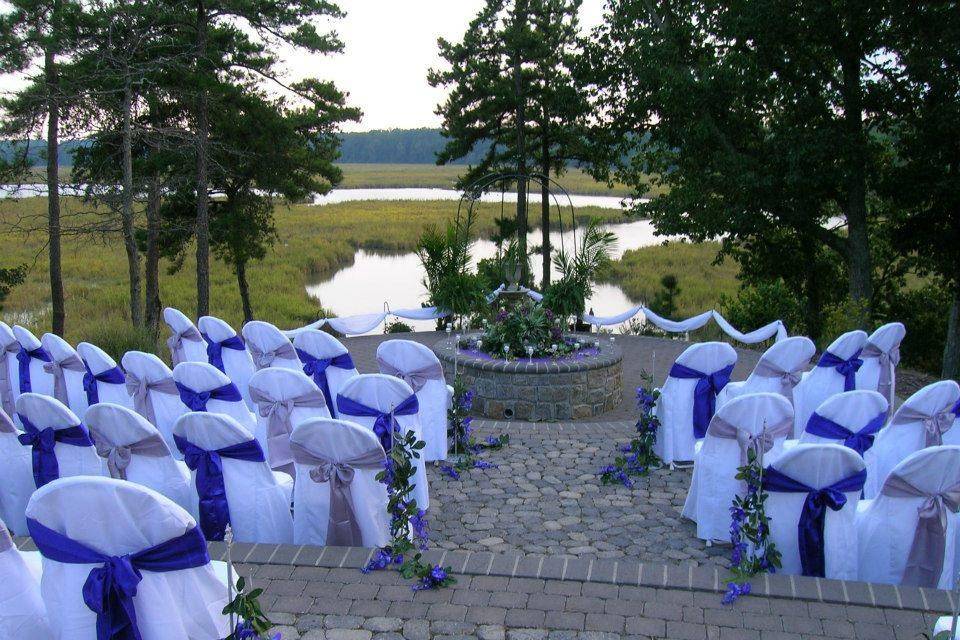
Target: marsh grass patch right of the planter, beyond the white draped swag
[700, 281]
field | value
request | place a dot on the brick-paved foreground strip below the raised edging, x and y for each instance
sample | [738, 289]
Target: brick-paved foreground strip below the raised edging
[315, 603]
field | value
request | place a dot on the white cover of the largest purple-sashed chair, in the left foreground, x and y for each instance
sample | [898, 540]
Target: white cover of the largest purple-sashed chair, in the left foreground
[118, 518]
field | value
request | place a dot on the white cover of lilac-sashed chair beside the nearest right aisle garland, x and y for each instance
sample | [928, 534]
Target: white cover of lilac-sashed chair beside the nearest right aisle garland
[714, 484]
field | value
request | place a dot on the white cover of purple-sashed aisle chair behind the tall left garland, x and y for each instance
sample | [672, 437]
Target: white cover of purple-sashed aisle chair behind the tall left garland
[384, 393]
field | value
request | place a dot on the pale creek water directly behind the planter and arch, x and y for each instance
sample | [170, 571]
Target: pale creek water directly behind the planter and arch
[376, 278]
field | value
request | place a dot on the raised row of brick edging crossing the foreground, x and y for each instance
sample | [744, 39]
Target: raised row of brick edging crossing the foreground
[621, 572]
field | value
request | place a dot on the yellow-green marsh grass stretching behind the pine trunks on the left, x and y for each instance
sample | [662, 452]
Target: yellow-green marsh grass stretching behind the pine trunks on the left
[313, 243]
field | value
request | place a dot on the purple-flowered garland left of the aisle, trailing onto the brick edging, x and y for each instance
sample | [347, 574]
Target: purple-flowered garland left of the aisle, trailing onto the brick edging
[408, 524]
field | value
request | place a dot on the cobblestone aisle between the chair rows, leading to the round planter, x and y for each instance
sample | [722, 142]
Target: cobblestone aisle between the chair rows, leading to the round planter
[546, 498]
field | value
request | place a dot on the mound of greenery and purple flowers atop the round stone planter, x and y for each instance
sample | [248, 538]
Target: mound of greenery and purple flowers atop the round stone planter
[525, 330]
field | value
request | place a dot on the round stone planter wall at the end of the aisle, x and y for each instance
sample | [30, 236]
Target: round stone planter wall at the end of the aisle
[577, 387]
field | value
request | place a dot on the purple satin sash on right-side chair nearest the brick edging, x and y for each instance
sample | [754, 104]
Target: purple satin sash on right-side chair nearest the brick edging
[813, 514]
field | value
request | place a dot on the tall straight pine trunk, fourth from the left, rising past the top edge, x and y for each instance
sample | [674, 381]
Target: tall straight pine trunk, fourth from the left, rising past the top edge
[203, 210]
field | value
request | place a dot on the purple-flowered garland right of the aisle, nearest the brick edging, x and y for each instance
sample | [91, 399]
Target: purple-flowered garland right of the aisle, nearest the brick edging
[753, 552]
